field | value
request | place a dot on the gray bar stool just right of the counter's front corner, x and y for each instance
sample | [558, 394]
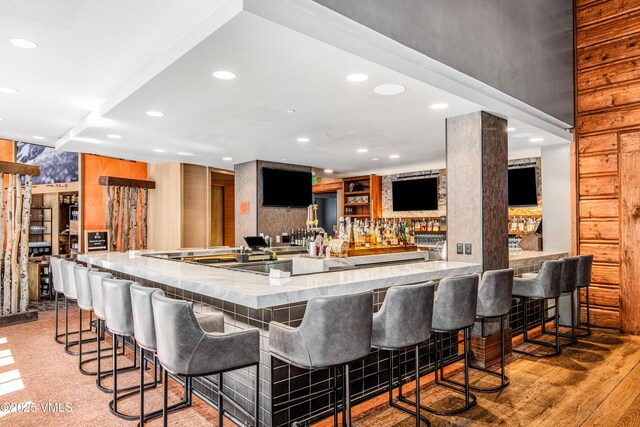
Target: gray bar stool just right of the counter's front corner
[334, 331]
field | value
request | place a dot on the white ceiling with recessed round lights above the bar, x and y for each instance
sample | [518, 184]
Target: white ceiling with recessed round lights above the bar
[246, 118]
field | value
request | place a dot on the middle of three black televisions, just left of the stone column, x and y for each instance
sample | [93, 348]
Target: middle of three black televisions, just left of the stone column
[415, 195]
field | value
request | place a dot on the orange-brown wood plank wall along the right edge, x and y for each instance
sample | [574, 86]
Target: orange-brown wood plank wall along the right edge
[608, 164]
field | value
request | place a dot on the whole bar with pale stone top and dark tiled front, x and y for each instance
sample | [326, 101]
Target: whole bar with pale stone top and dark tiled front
[251, 300]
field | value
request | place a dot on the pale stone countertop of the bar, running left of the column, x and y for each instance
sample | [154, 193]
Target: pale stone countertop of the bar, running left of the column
[259, 291]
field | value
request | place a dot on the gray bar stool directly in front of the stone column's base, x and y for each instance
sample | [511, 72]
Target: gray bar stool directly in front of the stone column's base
[494, 302]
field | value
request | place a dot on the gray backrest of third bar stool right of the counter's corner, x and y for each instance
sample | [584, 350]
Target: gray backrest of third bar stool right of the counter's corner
[455, 303]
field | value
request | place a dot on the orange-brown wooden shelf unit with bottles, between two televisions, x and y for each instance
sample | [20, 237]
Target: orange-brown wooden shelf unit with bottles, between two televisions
[362, 196]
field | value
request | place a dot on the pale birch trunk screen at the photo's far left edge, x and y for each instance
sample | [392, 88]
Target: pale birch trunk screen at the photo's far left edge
[15, 219]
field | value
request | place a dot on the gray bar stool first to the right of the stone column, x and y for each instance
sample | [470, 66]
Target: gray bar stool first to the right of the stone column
[545, 286]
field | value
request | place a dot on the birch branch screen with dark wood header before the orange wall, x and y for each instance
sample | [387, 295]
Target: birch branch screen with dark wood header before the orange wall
[127, 206]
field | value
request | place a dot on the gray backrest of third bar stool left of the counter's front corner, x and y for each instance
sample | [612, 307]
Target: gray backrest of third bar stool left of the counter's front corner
[117, 306]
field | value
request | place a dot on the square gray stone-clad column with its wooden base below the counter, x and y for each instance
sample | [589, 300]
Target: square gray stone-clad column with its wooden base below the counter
[477, 207]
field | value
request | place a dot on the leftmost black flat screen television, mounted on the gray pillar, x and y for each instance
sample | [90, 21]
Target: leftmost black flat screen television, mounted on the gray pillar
[286, 188]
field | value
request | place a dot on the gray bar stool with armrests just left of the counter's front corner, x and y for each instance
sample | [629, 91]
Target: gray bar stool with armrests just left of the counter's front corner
[186, 348]
